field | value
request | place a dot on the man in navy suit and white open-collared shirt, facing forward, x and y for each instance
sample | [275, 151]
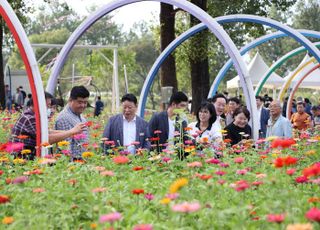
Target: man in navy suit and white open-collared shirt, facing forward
[127, 129]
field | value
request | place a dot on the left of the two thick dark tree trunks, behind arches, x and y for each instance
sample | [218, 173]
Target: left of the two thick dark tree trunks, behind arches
[167, 34]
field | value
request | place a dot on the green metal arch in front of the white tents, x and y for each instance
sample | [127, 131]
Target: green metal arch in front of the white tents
[278, 63]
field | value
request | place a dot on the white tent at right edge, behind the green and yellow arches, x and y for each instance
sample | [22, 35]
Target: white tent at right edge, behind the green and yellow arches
[312, 81]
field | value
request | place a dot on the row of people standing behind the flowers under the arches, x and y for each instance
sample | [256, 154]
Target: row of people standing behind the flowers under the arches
[217, 119]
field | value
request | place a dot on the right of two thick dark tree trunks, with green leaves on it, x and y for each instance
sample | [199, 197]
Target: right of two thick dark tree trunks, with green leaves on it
[199, 63]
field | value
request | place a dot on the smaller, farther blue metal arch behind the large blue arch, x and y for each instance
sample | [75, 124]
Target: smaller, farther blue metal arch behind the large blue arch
[248, 47]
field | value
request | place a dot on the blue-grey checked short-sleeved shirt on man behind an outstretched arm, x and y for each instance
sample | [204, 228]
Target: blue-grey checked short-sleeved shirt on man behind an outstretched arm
[67, 120]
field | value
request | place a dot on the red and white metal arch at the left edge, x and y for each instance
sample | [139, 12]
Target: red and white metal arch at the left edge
[33, 73]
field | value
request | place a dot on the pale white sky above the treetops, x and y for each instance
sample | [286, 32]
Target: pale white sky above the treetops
[126, 15]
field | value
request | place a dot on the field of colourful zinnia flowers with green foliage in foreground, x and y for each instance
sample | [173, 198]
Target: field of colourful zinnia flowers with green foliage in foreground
[243, 188]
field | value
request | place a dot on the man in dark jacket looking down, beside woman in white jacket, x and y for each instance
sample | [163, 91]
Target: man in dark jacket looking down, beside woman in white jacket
[164, 124]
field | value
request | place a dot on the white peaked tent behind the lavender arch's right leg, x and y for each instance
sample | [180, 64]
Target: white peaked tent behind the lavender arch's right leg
[257, 69]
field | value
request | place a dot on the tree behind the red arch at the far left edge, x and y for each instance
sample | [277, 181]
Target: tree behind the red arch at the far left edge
[6, 40]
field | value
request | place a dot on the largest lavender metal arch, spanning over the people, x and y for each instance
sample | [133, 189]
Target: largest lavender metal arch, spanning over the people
[187, 6]
